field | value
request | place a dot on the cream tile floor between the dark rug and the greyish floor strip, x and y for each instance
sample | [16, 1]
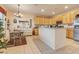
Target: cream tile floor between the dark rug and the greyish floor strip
[30, 48]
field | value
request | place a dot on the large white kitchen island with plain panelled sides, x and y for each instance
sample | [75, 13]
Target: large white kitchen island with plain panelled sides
[53, 37]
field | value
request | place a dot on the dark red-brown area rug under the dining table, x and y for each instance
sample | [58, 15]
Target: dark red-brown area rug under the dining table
[16, 42]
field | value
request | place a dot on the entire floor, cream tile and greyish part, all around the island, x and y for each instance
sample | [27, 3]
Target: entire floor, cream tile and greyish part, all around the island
[36, 46]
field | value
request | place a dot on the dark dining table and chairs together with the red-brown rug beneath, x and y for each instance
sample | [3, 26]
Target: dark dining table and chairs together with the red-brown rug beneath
[17, 38]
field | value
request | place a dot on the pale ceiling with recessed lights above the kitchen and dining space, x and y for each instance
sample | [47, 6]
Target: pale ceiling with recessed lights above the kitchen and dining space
[36, 8]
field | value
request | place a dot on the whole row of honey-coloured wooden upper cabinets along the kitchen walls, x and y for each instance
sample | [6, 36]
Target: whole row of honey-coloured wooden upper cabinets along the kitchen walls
[66, 18]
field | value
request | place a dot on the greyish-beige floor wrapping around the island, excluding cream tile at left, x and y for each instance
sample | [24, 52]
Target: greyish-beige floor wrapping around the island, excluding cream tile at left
[72, 47]
